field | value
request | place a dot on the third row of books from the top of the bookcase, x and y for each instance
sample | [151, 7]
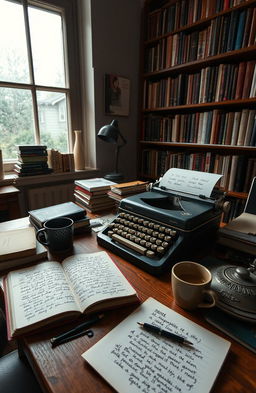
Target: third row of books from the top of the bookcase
[211, 84]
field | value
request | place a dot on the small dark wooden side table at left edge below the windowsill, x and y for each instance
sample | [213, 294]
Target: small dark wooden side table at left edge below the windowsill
[9, 203]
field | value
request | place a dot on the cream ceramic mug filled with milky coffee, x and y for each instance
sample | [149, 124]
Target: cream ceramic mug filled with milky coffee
[189, 285]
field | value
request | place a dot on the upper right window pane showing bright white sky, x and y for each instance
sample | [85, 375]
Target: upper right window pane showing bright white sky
[47, 47]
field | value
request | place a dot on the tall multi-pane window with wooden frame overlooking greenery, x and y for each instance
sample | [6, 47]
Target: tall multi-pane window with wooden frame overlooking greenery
[39, 74]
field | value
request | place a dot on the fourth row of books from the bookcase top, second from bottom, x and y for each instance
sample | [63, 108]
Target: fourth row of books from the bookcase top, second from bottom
[212, 127]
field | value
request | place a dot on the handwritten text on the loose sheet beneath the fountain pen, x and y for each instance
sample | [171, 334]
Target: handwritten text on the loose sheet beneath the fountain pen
[155, 364]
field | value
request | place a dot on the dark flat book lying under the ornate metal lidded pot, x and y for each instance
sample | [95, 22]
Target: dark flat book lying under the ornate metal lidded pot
[241, 331]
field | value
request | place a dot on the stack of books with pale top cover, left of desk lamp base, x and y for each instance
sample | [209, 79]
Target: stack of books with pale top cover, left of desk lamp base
[92, 194]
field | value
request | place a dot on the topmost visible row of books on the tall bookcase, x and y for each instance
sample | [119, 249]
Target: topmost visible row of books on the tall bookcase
[186, 12]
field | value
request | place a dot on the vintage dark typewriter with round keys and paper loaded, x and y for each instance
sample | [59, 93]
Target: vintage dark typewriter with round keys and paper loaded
[156, 228]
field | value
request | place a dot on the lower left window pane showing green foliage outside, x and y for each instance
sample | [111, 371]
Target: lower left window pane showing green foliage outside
[16, 120]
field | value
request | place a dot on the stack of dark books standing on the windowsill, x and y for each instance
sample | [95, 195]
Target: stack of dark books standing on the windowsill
[32, 160]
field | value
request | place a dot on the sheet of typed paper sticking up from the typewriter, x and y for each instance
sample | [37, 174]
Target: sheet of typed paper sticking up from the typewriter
[190, 182]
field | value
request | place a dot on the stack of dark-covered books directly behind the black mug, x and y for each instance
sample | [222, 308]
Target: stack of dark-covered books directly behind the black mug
[38, 217]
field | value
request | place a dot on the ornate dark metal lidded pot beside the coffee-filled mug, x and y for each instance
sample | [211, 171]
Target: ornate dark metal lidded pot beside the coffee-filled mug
[236, 290]
